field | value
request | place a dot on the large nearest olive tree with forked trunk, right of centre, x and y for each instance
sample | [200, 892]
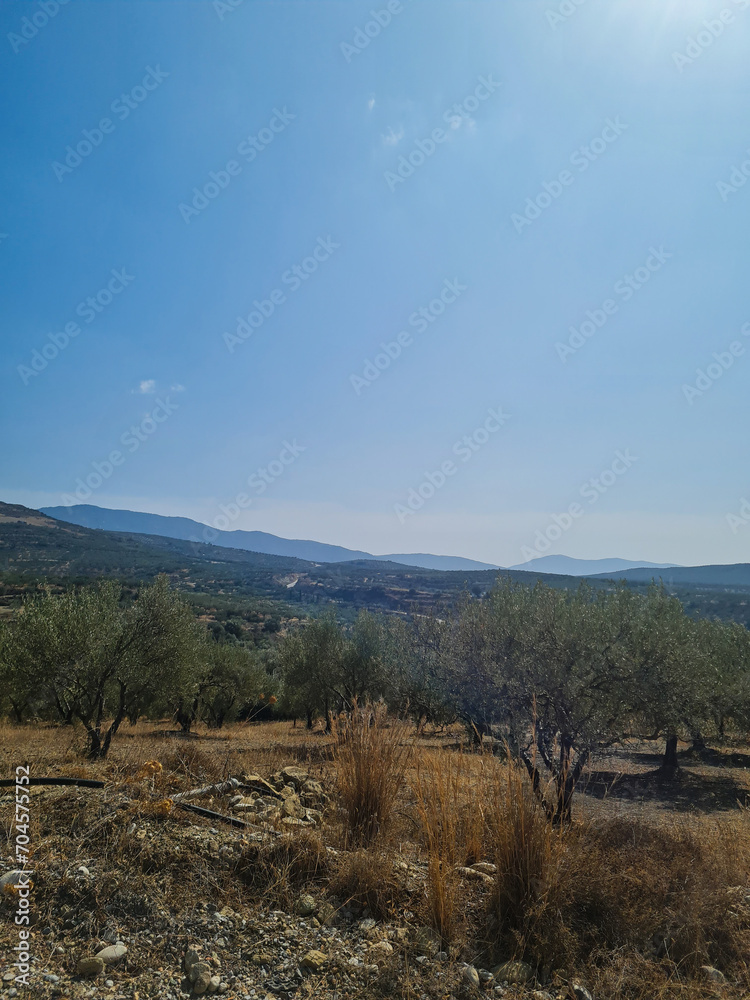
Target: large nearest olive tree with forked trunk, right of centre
[545, 670]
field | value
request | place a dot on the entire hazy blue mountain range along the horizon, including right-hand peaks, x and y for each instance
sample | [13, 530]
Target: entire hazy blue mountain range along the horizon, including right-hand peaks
[90, 516]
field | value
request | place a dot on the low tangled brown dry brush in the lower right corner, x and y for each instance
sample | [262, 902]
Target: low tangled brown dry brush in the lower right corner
[669, 891]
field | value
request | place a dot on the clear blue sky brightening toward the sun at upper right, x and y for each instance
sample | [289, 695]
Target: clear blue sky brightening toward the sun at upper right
[591, 143]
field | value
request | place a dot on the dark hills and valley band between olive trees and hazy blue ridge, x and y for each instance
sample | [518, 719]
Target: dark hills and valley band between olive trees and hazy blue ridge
[35, 546]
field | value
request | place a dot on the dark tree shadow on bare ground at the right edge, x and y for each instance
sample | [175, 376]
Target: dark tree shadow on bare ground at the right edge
[685, 792]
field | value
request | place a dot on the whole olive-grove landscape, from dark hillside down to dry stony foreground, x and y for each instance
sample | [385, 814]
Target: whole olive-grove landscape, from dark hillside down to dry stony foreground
[525, 778]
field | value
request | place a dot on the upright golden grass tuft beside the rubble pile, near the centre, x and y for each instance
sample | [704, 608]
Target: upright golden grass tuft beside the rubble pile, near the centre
[371, 753]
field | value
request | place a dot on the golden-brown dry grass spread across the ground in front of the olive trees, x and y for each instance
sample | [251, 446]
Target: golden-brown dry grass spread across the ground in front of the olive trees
[633, 901]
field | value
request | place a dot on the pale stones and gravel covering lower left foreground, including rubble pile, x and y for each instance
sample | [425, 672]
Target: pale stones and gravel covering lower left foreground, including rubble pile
[96, 934]
